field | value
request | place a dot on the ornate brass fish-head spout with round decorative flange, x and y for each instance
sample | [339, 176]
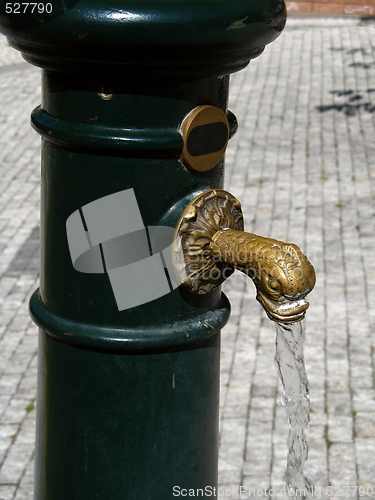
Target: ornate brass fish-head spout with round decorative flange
[210, 244]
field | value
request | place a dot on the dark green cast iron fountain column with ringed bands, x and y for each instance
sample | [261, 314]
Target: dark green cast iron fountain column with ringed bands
[127, 399]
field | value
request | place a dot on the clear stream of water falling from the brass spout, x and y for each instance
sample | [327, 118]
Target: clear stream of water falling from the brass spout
[292, 373]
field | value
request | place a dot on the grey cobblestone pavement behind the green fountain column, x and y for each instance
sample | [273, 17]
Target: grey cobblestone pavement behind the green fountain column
[303, 165]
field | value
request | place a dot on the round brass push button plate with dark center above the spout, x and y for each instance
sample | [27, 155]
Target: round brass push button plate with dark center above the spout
[205, 132]
